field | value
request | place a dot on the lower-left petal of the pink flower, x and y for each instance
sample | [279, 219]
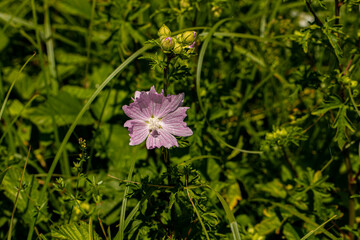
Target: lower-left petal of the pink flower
[138, 131]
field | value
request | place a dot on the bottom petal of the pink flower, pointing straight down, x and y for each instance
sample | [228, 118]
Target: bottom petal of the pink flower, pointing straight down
[159, 138]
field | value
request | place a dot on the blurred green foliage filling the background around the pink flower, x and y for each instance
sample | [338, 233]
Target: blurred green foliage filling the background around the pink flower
[278, 76]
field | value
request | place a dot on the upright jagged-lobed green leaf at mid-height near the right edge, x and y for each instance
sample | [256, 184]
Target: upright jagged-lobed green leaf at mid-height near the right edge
[342, 123]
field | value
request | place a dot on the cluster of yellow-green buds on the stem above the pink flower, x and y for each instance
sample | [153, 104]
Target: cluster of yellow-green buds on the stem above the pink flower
[179, 44]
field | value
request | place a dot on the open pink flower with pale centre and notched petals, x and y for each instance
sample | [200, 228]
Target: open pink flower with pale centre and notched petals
[157, 118]
